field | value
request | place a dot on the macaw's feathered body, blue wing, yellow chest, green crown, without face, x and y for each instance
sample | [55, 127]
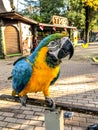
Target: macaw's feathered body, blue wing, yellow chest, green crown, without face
[38, 71]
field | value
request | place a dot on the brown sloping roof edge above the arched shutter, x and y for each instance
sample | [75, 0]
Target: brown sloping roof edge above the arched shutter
[17, 16]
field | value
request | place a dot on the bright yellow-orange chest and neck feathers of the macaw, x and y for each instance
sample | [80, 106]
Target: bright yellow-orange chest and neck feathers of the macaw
[42, 74]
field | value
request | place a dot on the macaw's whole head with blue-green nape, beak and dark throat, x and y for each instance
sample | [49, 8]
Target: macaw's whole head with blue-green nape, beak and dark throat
[58, 47]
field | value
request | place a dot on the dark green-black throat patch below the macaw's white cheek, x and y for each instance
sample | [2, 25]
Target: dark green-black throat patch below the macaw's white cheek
[52, 61]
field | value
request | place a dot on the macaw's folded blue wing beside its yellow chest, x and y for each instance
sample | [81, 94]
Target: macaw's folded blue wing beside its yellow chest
[21, 74]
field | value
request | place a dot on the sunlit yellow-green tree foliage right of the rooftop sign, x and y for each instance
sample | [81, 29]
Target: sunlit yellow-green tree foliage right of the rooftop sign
[75, 13]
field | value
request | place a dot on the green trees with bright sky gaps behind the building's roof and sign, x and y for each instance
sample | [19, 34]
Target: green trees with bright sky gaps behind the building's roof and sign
[43, 10]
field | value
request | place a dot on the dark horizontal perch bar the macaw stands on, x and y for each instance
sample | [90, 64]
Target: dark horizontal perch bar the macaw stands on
[62, 106]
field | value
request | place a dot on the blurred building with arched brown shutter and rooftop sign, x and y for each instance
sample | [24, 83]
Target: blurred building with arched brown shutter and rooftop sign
[17, 33]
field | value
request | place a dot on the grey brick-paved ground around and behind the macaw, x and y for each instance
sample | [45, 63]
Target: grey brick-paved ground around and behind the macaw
[78, 84]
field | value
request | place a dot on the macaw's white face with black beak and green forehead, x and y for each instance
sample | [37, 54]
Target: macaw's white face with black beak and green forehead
[60, 46]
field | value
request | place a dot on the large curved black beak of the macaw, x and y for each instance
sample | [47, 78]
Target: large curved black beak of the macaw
[66, 49]
